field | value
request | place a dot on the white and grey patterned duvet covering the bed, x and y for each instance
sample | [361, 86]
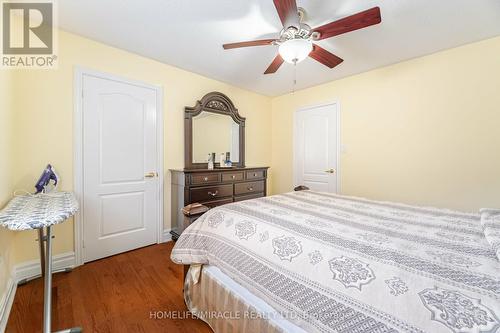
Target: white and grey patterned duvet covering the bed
[332, 263]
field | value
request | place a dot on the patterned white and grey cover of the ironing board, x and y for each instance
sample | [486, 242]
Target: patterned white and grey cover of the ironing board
[26, 212]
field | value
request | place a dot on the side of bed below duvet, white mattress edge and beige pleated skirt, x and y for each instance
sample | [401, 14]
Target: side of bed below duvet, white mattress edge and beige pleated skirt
[228, 307]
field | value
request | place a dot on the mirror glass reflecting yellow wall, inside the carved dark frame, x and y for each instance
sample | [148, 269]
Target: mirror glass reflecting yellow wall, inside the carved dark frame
[215, 133]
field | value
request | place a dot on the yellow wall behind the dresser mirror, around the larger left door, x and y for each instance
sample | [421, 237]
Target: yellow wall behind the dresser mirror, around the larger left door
[44, 116]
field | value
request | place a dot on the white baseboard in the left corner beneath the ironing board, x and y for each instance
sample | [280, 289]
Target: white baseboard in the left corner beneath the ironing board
[27, 270]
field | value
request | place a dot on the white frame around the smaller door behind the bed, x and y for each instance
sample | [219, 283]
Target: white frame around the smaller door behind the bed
[336, 104]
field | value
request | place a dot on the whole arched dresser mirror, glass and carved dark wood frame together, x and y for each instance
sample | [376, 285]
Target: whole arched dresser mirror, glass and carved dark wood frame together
[213, 125]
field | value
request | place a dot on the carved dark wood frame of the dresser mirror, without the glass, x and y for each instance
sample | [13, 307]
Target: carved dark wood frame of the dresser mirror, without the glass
[214, 102]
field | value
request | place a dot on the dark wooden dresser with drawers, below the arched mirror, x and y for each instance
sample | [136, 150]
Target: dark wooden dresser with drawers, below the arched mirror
[214, 188]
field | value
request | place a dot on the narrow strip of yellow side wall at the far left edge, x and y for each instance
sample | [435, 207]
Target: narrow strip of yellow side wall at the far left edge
[6, 171]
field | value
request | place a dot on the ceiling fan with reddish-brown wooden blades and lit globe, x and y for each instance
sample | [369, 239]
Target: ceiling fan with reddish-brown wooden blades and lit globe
[296, 38]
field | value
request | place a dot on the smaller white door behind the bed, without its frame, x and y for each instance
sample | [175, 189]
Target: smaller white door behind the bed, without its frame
[315, 151]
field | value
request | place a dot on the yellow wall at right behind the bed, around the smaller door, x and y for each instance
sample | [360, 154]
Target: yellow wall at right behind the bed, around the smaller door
[424, 131]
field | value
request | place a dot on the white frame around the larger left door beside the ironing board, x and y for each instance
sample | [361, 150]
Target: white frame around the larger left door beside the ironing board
[79, 73]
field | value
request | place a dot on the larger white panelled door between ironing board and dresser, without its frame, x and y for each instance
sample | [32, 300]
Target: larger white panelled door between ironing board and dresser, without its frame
[120, 183]
